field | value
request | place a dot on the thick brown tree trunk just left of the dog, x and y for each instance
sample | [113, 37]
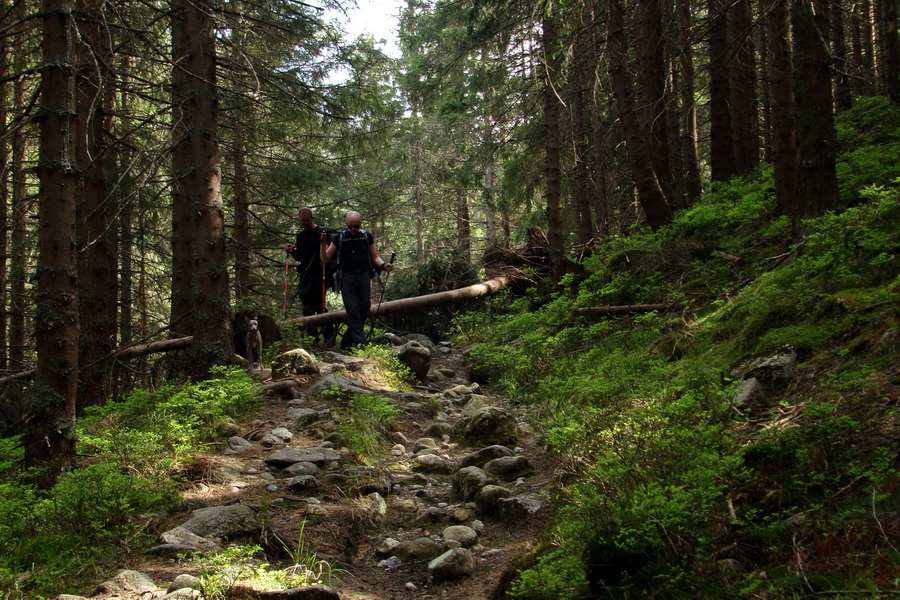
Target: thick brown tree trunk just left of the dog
[209, 266]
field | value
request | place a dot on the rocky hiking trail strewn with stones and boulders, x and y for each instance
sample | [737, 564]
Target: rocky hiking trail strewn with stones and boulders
[455, 495]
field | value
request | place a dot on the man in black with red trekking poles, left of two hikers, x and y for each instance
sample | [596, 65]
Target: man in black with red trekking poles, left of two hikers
[313, 279]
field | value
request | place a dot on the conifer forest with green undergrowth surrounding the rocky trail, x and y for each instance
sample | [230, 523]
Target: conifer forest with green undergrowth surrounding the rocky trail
[731, 166]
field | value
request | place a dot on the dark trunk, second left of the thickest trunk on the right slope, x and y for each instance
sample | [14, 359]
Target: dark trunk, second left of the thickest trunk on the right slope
[742, 77]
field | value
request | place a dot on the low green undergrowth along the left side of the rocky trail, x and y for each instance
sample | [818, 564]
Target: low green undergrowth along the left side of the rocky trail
[130, 454]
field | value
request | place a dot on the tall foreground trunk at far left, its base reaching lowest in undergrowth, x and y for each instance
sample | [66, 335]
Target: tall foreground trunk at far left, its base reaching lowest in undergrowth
[50, 439]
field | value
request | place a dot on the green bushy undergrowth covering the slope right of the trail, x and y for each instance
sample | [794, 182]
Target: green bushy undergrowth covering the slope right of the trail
[670, 489]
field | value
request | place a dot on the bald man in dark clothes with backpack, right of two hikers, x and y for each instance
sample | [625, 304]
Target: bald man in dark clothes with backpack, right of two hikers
[357, 264]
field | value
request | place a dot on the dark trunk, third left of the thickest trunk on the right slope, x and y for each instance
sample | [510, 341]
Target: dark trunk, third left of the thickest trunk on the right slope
[721, 143]
